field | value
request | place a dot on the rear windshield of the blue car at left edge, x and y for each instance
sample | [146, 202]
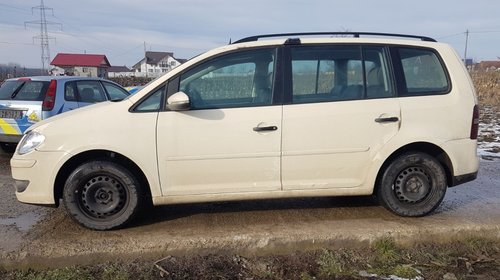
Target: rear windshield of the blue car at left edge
[23, 90]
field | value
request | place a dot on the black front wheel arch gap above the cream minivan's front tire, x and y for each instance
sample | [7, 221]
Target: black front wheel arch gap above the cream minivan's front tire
[111, 156]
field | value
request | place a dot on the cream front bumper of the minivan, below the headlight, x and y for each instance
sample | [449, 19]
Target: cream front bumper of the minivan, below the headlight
[35, 175]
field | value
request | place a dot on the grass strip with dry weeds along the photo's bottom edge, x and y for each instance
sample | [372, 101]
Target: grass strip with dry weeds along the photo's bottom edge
[466, 258]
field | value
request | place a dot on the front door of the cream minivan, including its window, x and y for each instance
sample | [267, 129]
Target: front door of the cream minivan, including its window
[229, 141]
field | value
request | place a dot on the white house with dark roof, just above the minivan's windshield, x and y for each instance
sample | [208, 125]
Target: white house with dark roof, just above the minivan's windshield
[155, 64]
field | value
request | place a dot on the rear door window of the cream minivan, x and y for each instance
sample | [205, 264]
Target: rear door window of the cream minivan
[332, 73]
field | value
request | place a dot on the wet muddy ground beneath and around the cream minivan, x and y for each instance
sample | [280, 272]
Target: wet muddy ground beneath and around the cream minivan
[37, 237]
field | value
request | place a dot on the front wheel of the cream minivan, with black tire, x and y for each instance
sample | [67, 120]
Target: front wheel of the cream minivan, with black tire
[102, 195]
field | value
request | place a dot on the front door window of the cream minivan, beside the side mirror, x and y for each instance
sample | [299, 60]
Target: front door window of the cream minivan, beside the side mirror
[234, 80]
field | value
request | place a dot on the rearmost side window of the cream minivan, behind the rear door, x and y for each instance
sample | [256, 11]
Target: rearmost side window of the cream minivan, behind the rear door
[423, 71]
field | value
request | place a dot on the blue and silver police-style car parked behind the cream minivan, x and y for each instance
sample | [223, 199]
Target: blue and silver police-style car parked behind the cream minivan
[27, 100]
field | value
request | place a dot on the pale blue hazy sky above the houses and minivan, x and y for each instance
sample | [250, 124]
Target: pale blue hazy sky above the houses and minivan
[123, 30]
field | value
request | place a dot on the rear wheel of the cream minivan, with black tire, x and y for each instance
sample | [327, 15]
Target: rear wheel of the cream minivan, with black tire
[412, 185]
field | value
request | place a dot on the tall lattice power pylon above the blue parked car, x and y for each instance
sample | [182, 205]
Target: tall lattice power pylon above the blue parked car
[43, 36]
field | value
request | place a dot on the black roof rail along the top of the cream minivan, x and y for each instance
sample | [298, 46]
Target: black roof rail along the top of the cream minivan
[354, 34]
